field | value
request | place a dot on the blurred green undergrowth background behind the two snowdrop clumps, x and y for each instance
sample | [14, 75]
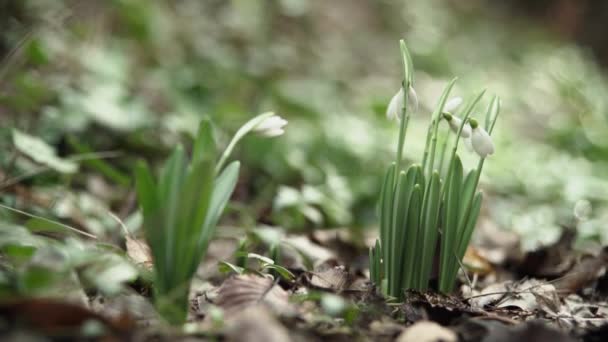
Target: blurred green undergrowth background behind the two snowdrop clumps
[133, 77]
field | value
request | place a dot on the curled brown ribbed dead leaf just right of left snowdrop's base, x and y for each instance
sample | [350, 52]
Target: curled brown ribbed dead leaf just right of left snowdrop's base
[242, 291]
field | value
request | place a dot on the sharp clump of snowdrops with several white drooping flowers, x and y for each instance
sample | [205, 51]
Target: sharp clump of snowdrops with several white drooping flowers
[428, 211]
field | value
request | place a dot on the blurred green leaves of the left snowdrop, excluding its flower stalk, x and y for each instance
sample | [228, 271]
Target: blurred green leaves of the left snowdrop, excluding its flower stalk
[180, 210]
